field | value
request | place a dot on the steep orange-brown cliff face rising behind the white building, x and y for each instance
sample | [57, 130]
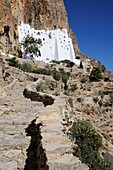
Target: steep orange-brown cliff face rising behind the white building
[40, 14]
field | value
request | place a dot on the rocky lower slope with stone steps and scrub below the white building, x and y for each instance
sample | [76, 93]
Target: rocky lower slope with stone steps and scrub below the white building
[38, 95]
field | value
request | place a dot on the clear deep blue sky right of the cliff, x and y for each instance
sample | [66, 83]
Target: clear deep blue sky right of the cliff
[92, 23]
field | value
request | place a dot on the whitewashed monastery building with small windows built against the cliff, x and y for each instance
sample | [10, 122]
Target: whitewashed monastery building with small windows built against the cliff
[56, 45]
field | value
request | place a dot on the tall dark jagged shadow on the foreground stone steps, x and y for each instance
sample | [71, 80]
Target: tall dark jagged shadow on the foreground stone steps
[36, 157]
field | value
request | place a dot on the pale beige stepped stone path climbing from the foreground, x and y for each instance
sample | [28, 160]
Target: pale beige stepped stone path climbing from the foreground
[16, 113]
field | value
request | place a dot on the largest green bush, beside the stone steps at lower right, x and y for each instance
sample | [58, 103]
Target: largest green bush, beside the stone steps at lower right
[89, 143]
